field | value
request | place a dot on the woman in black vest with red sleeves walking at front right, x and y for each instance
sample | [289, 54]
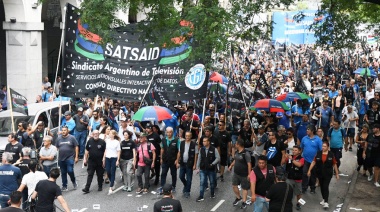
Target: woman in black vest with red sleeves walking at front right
[324, 163]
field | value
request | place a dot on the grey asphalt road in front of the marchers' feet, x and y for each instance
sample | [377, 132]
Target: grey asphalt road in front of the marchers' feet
[122, 201]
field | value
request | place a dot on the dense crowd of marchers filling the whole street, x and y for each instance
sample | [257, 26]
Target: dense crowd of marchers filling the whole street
[273, 156]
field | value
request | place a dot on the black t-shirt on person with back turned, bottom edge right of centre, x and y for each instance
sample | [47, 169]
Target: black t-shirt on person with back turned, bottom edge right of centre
[276, 194]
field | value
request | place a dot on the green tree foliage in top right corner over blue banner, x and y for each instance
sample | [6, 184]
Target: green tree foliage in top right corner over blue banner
[342, 20]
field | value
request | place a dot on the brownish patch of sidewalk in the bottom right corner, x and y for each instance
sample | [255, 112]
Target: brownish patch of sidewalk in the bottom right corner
[362, 195]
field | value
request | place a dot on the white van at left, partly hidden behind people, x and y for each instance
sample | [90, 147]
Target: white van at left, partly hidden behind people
[48, 112]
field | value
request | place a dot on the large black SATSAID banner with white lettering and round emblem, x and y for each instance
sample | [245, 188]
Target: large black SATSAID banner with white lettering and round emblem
[125, 69]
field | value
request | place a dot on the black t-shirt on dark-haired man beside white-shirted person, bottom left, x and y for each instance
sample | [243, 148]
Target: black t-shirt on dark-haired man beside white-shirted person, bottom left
[47, 192]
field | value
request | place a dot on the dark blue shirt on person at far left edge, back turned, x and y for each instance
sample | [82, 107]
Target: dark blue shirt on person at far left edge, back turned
[9, 176]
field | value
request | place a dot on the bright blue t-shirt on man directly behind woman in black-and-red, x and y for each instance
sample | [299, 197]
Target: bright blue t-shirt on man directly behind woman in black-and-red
[310, 147]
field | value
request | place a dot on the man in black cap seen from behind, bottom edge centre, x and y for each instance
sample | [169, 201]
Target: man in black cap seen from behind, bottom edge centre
[167, 203]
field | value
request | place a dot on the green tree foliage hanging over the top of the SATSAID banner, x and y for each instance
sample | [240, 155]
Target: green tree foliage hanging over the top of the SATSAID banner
[212, 28]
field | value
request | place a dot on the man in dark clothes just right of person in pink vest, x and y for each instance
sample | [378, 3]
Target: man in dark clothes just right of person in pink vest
[154, 139]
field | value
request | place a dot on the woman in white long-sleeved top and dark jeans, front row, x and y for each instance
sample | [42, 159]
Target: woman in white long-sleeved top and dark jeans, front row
[111, 158]
